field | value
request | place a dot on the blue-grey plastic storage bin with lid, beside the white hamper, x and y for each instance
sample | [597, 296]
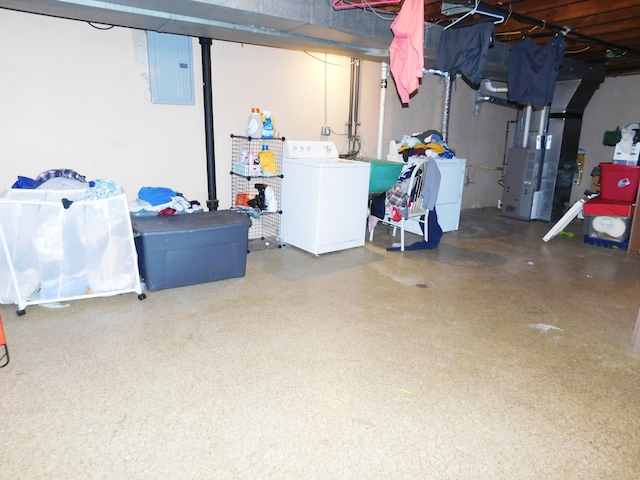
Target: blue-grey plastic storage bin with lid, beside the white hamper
[185, 249]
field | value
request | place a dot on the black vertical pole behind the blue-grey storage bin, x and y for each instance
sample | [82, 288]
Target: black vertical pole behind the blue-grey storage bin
[205, 43]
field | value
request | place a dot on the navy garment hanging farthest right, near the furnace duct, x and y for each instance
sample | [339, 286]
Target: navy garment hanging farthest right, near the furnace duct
[533, 70]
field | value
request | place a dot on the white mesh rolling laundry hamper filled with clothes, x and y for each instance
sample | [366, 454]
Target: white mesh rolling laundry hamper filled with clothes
[56, 245]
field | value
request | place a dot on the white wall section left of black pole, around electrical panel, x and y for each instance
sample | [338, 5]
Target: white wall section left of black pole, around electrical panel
[77, 97]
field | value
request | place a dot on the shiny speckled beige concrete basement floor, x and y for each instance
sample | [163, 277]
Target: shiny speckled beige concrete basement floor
[495, 356]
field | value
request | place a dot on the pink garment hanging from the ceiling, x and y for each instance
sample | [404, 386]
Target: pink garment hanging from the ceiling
[406, 52]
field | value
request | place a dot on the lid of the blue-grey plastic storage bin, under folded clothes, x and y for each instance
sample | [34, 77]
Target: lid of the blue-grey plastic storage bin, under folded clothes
[190, 221]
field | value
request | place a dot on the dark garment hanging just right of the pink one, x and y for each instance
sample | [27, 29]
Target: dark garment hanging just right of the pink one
[464, 50]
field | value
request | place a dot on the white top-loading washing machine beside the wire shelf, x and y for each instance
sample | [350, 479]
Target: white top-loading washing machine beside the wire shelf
[324, 198]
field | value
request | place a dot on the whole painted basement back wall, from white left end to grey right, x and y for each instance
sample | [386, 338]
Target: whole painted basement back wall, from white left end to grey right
[76, 97]
